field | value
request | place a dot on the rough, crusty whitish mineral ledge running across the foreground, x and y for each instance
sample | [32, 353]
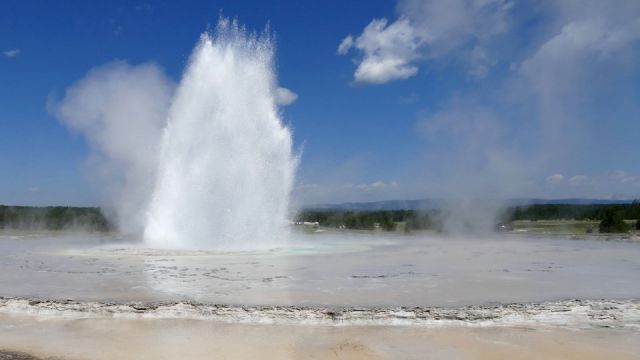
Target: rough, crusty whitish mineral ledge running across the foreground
[570, 313]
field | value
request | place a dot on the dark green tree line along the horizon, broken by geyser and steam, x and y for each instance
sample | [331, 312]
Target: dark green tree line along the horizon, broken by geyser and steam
[612, 217]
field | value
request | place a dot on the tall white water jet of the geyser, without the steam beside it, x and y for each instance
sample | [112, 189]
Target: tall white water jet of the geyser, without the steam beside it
[225, 168]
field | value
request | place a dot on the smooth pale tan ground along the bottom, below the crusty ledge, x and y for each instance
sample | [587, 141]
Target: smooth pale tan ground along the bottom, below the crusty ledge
[197, 339]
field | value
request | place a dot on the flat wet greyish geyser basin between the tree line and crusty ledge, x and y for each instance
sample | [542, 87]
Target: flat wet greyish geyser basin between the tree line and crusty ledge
[328, 269]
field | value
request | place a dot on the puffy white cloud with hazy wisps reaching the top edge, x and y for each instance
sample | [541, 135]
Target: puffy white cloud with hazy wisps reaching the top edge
[427, 30]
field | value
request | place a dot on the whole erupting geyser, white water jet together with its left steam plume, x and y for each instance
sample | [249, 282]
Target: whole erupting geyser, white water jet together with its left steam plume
[208, 165]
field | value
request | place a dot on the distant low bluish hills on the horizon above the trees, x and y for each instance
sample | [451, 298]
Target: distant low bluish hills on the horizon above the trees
[430, 204]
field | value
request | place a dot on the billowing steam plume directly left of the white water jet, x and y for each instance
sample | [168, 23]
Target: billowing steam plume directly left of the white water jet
[121, 110]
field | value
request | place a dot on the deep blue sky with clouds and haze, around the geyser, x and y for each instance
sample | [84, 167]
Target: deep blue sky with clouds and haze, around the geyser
[406, 99]
